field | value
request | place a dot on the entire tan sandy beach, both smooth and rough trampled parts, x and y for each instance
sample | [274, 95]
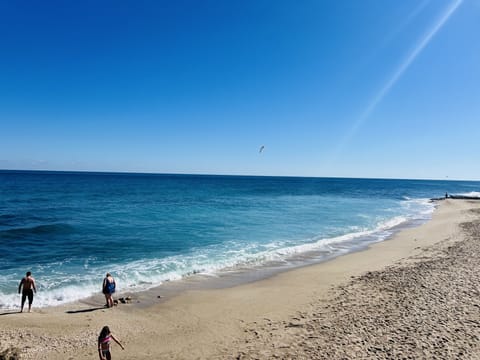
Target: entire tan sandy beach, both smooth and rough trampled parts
[413, 296]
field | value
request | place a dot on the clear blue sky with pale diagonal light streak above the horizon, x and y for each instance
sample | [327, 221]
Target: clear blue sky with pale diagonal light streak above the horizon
[355, 88]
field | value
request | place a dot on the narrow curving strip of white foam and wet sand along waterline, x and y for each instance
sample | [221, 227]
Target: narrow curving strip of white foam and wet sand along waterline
[244, 274]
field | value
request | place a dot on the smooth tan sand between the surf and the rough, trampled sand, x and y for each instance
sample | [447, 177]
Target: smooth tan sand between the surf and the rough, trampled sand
[227, 322]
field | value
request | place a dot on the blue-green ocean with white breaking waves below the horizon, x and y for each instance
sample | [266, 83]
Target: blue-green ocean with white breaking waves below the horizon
[70, 228]
